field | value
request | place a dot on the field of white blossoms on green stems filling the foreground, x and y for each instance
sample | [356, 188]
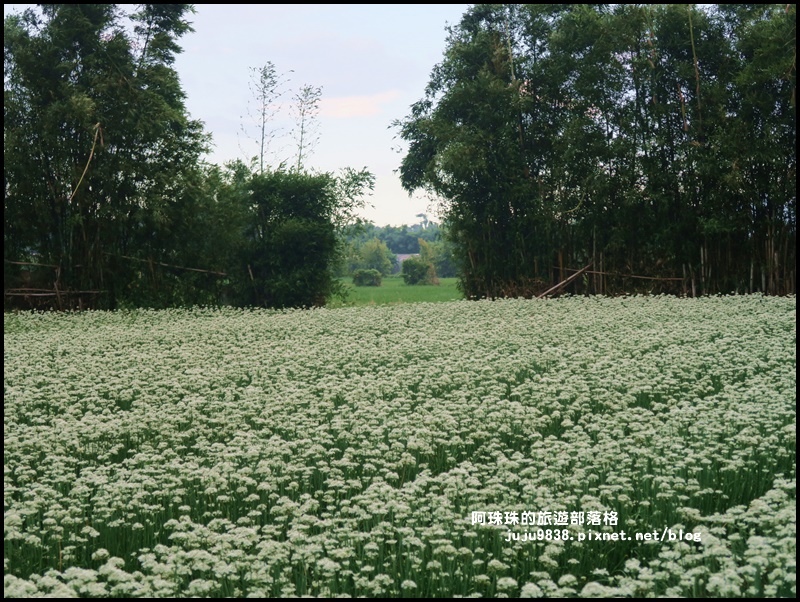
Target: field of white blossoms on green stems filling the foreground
[582, 446]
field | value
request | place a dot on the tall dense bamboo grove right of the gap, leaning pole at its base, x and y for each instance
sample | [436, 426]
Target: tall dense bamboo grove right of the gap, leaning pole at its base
[654, 143]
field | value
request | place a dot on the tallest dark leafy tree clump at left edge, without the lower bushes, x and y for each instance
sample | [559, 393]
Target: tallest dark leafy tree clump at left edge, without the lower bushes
[98, 144]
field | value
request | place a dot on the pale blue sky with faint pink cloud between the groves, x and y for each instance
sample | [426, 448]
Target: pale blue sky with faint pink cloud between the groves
[372, 62]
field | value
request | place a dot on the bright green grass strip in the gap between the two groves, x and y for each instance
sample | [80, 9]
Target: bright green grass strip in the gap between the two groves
[393, 290]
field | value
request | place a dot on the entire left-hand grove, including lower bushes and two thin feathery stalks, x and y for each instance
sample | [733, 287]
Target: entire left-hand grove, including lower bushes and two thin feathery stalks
[107, 203]
